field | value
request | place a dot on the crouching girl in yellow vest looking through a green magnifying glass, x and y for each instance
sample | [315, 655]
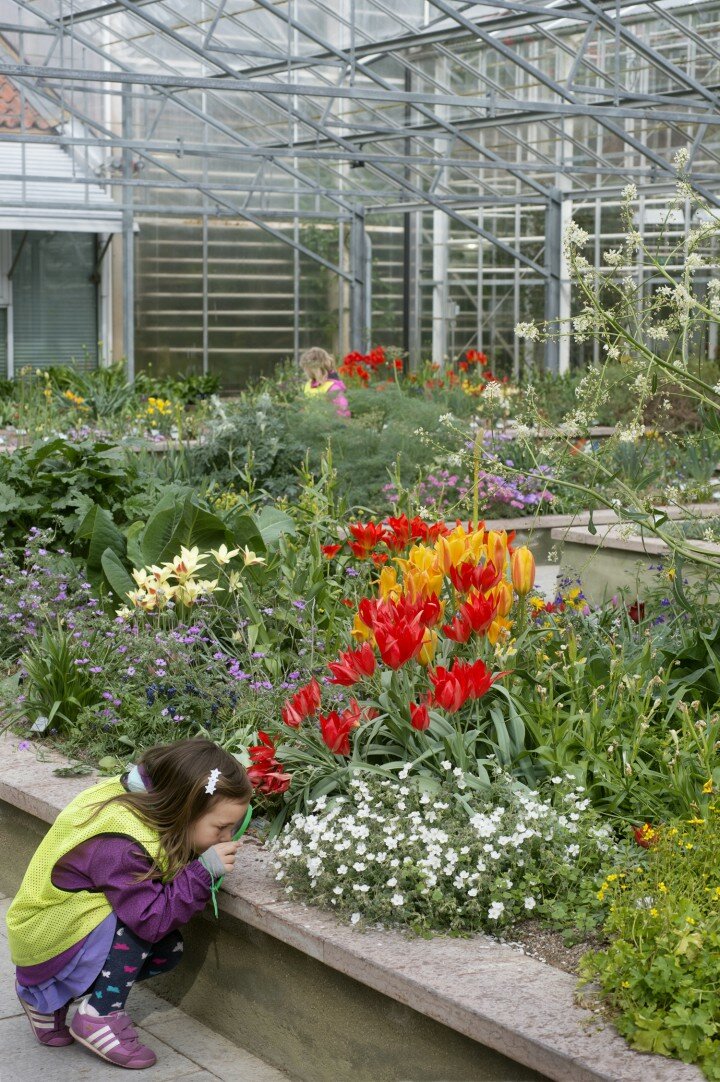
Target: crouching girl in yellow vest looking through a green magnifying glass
[123, 867]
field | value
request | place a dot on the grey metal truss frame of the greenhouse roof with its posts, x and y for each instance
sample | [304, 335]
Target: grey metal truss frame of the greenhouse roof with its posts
[454, 109]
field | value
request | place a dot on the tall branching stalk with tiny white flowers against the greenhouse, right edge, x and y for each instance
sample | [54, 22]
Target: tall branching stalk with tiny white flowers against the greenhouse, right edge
[650, 326]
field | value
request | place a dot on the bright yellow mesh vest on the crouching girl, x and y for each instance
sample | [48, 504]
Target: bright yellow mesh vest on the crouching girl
[44, 921]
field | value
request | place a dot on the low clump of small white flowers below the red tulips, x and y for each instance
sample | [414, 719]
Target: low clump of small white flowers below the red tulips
[438, 866]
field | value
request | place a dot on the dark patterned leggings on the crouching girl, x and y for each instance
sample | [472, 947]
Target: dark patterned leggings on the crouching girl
[129, 960]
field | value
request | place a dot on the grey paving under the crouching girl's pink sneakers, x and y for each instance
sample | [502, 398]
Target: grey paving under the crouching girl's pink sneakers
[186, 1049]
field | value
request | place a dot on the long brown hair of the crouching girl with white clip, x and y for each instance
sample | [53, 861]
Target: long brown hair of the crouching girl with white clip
[179, 773]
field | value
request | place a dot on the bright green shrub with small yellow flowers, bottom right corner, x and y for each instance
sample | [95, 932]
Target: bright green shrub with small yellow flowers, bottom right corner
[661, 975]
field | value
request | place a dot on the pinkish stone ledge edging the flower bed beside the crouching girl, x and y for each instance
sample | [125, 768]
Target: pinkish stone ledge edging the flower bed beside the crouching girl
[478, 987]
